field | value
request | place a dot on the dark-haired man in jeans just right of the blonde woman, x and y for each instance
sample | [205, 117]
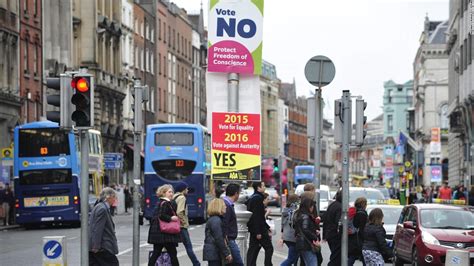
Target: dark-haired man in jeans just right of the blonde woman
[232, 192]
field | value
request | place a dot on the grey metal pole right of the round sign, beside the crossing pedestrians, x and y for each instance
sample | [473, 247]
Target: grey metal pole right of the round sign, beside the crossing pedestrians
[346, 134]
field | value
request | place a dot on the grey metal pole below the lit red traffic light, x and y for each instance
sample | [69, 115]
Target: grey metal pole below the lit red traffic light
[84, 196]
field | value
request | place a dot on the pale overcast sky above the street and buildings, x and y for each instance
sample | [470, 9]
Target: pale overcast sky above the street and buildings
[369, 42]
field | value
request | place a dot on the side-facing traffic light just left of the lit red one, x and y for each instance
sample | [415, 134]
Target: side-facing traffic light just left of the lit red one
[60, 100]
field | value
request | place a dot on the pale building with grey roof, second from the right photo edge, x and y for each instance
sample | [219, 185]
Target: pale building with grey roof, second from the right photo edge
[430, 91]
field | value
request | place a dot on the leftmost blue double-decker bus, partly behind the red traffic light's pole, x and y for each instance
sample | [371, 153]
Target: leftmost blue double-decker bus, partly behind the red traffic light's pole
[47, 173]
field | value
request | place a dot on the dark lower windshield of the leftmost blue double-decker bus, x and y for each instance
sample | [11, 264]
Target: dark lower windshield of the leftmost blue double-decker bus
[45, 177]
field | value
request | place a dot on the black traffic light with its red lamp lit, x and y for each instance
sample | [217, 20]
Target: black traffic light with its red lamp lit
[83, 99]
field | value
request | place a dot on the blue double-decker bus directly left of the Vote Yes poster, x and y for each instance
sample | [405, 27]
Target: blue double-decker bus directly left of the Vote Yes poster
[173, 153]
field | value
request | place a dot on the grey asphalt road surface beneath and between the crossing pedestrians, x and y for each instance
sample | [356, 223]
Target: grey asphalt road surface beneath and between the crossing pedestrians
[24, 247]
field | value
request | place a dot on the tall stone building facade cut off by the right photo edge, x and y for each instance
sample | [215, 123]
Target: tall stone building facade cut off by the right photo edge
[461, 94]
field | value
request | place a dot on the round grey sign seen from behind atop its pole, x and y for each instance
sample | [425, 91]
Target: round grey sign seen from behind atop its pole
[319, 71]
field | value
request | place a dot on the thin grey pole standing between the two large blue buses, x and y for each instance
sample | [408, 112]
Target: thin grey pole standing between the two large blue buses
[136, 170]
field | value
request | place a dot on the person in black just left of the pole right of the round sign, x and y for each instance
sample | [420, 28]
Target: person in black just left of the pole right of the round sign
[331, 232]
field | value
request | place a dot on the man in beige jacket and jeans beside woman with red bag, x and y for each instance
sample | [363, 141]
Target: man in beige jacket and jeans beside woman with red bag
[181, 189]
